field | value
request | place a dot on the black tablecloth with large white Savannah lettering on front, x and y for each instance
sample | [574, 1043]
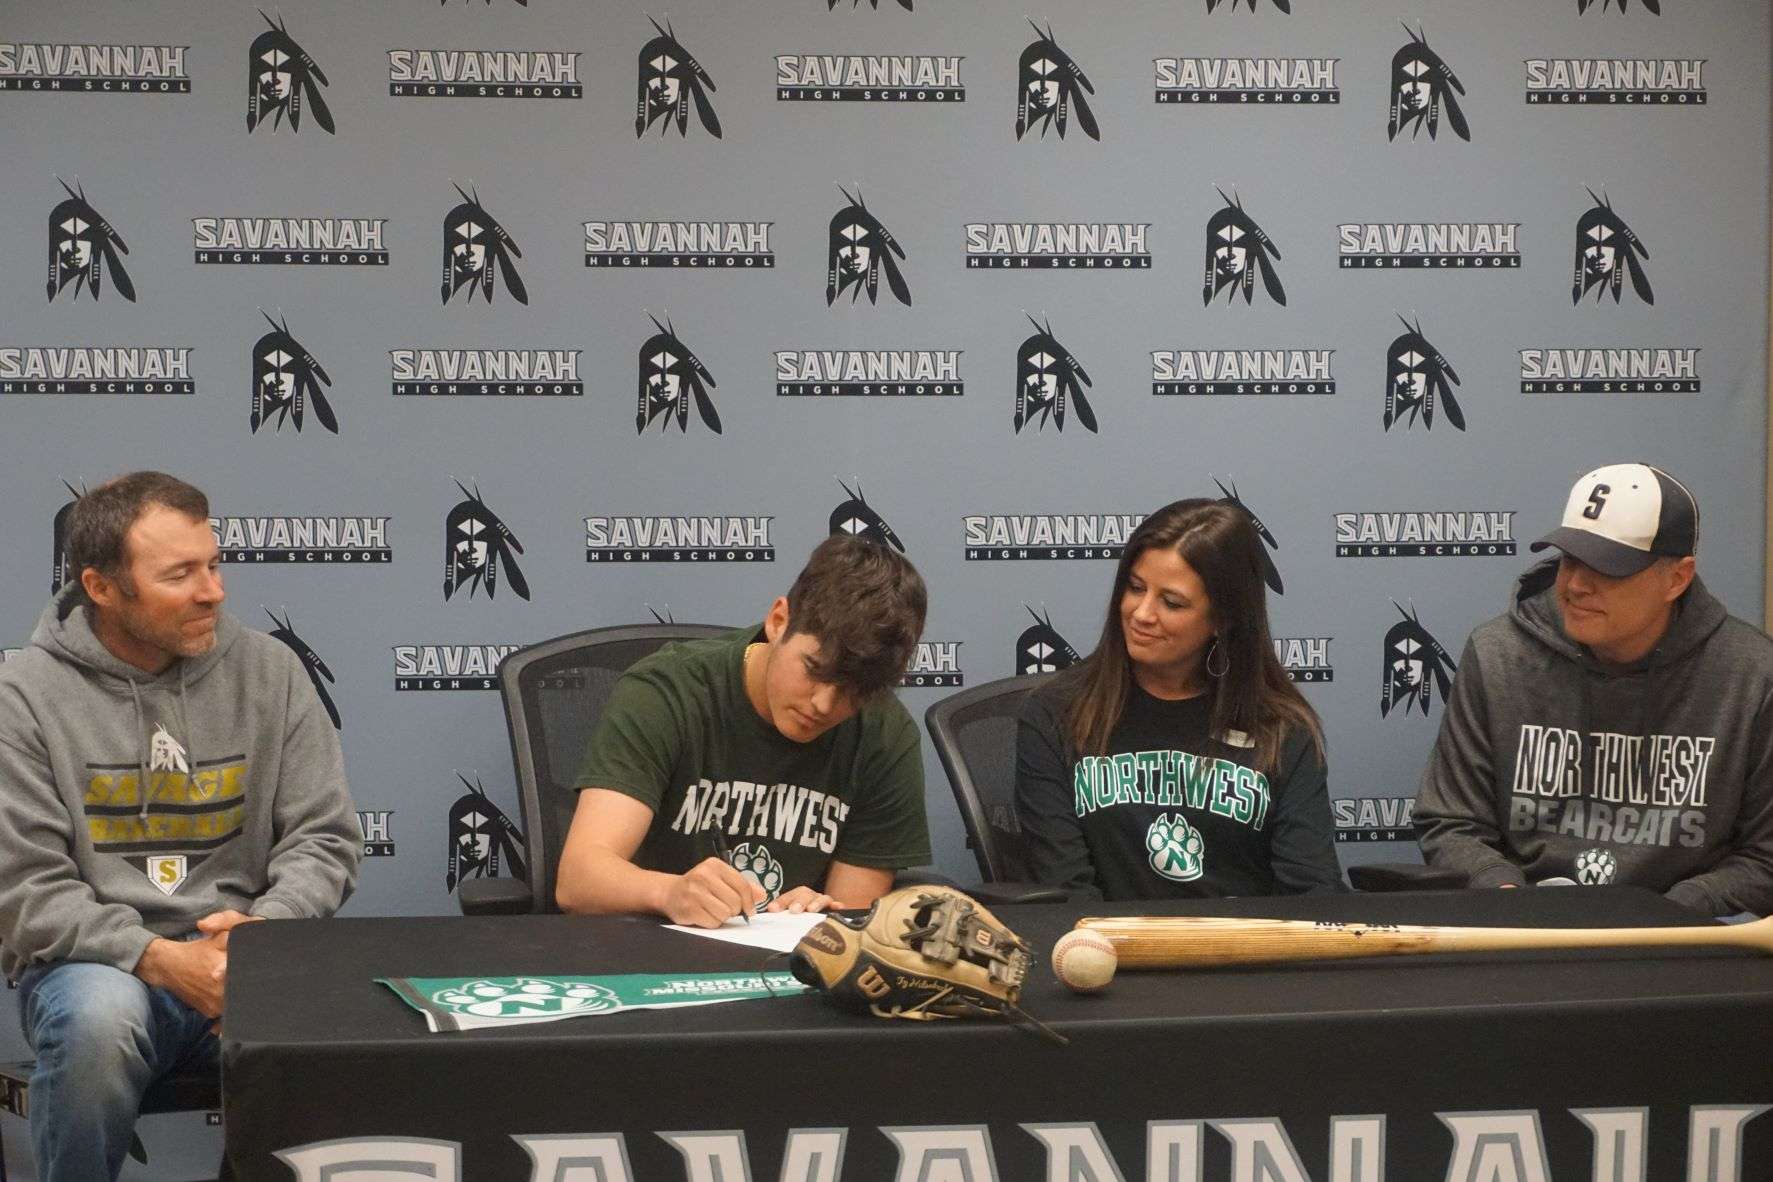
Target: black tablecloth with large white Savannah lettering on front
[1472, 1066]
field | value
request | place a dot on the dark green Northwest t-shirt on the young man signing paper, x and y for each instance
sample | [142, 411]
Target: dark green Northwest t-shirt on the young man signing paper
[682, 736]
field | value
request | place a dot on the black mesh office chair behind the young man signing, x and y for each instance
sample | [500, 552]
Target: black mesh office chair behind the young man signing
[554, 696]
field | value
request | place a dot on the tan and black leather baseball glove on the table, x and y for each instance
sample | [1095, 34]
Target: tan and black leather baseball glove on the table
[921, 953]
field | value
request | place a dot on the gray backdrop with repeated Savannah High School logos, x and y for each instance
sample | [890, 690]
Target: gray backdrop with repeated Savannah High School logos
[673, 292]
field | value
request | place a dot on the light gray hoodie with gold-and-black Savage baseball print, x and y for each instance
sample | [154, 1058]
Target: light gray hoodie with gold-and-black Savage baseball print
[246, 805]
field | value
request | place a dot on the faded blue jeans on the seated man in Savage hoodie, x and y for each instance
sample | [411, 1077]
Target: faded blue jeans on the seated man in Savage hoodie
[102, 1039]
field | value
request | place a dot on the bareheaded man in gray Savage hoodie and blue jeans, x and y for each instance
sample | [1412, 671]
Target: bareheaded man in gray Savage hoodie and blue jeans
[166, 775]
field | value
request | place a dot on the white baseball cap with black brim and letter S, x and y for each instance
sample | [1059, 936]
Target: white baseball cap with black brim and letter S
[1625, 517]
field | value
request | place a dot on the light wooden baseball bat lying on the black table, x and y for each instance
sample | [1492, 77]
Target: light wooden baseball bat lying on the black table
[1198, 942]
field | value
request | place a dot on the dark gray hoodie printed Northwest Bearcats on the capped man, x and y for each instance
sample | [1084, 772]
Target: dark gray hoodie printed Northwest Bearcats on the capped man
[1657, 775]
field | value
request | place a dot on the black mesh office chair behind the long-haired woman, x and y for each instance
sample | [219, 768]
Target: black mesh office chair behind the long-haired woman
[976, 742]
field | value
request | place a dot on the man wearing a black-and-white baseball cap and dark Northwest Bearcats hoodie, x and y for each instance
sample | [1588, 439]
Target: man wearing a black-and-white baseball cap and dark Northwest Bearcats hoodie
[1616, 726]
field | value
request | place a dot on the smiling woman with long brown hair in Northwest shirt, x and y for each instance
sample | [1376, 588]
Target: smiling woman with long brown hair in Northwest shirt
[1178, 759]
